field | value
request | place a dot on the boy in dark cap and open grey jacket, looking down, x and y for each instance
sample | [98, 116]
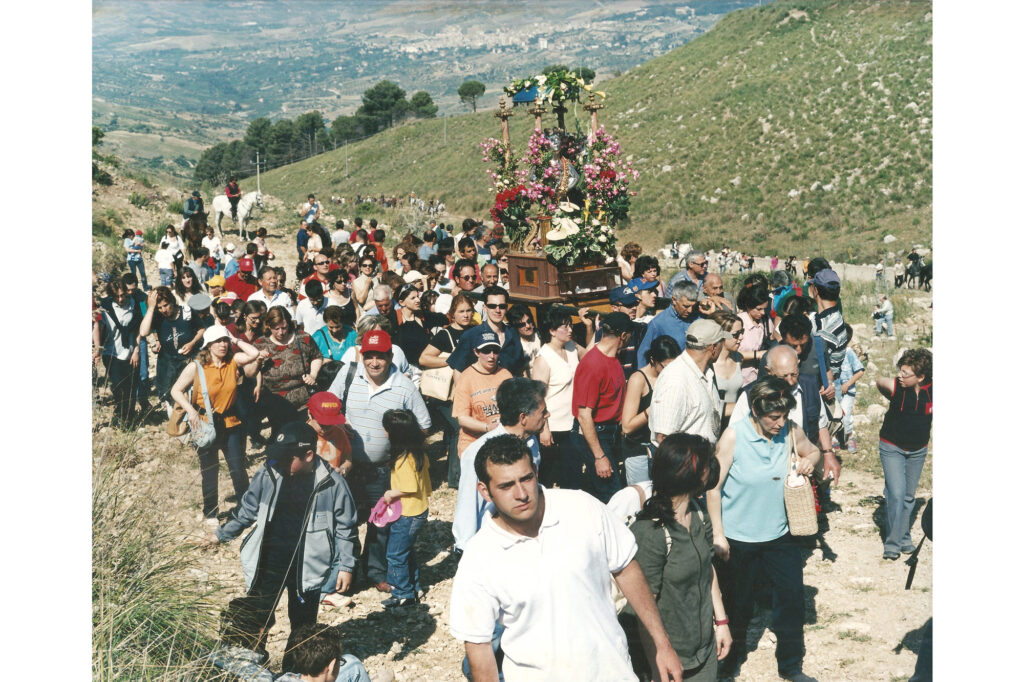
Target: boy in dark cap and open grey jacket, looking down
[306, 529]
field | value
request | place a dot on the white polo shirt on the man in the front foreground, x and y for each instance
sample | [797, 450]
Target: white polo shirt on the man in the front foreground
[550, 592]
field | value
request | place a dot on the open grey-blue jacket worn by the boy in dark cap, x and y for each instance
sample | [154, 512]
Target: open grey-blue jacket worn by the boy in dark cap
[329, 541]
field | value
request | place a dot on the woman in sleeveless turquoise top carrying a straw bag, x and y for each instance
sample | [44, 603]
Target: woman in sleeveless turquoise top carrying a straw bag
[751, 532]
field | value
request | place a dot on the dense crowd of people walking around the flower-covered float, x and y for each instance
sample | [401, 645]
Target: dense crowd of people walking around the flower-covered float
[644, 448]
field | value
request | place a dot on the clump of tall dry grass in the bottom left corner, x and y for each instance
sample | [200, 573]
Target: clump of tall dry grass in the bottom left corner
[150, 620]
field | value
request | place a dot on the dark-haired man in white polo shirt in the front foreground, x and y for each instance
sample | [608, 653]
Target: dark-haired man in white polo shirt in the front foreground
[539, 568]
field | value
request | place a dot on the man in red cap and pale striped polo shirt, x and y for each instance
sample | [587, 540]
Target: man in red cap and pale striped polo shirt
[368, 390]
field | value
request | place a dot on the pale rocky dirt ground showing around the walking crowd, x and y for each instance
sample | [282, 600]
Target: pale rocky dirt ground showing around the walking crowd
[862, 624]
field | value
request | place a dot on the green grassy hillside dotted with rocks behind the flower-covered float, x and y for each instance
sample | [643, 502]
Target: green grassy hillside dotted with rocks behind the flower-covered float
[789, 129]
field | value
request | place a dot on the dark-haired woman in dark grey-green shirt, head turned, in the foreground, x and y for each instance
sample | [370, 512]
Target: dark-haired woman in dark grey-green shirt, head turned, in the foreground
[675, 550]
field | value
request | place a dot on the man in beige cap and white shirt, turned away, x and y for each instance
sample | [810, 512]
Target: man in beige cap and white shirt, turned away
[686, 397]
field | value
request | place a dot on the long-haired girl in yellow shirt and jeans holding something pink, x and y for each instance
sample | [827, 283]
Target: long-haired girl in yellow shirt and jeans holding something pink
[411, 484]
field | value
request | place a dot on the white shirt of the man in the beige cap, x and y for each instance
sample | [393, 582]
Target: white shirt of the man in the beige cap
[687, 400]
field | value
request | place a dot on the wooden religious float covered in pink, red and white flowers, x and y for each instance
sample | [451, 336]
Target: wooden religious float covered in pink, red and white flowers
[562, 199]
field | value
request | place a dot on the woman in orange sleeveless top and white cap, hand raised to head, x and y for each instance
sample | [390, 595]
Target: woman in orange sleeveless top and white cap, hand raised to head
[221, 363]
